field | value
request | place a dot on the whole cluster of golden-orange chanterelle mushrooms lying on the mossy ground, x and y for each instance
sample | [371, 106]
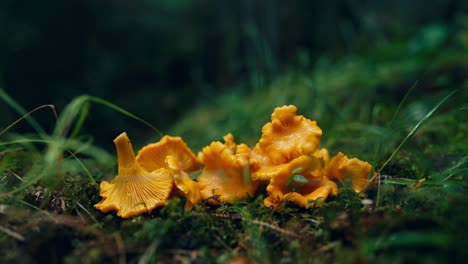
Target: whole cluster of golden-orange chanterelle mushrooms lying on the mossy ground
[286, 159]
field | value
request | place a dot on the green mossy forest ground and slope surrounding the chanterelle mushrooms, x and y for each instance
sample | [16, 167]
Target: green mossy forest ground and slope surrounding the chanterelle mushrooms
[417, 214]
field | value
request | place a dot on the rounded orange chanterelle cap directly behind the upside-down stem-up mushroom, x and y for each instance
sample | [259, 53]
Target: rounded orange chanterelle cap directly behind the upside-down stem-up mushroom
[153, 156]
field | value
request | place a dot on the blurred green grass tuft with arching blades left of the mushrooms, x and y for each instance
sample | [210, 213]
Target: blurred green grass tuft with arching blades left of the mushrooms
[49, 169]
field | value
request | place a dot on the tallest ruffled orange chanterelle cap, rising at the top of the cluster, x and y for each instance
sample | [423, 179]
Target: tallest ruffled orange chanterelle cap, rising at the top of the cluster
[287, 137]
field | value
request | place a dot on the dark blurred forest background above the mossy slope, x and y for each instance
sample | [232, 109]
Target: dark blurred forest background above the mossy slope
[158, 59]
